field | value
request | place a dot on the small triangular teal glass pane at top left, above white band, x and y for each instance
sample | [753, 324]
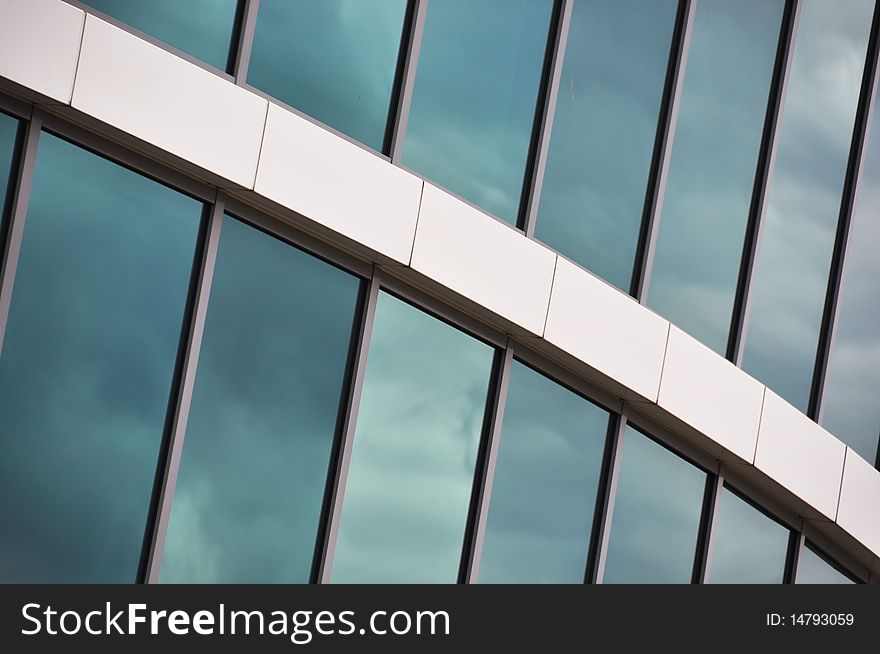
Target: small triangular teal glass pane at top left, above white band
[201, 28]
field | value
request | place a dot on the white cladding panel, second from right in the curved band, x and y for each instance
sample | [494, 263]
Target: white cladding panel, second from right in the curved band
[800, 455]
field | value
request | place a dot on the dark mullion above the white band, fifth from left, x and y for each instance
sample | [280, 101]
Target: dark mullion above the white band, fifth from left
[763, 174]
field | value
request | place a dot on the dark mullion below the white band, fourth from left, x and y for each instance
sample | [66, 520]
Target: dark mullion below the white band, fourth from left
[484, 471]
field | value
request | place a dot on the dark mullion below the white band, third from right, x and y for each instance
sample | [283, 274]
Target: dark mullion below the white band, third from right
[601, 531]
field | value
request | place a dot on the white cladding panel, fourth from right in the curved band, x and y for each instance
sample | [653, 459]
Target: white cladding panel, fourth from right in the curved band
[606, 329]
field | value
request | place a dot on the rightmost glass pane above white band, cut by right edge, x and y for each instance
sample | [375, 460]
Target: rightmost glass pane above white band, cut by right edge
[849, 406]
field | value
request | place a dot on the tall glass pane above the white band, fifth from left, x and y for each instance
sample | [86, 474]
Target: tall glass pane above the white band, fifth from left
[712, 169]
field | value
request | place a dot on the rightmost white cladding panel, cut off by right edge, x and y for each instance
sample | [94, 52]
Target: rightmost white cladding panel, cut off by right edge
[859, 511]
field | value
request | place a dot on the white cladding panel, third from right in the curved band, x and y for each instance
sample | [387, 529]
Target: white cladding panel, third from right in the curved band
[711, 394]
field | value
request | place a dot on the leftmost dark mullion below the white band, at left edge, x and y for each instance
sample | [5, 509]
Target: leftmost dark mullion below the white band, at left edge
[14, 230]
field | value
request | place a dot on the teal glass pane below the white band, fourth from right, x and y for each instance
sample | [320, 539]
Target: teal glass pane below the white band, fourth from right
[546, 477]
